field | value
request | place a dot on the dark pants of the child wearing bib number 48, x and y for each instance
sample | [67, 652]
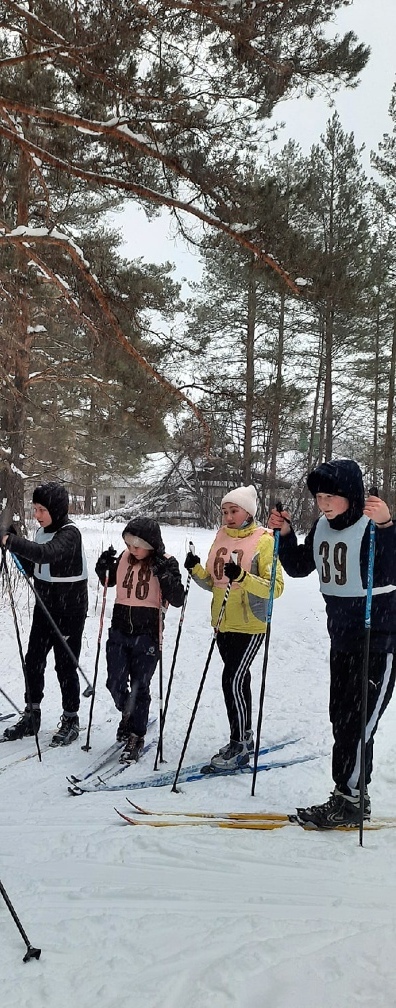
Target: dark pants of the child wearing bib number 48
[131, 663]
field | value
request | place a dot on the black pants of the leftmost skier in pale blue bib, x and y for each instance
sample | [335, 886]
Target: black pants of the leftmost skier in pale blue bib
[43, 640]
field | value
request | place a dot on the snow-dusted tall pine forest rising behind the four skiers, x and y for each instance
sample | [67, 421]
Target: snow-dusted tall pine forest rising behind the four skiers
[285, 353]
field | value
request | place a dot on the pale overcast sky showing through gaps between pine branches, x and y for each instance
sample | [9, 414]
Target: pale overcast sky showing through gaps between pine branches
[363, 111]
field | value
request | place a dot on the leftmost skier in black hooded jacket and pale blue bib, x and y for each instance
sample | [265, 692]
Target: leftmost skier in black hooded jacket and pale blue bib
[58, 562]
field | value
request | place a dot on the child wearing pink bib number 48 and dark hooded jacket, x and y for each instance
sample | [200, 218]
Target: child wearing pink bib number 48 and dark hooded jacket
[148, 580]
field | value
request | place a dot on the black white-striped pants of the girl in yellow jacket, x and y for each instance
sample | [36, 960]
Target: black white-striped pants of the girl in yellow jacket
[238, 652]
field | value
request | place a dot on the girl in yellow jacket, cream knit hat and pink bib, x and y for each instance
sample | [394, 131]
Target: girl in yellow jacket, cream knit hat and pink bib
[243, 626]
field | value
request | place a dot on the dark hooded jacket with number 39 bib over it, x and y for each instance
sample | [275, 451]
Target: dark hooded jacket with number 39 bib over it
[330, 546]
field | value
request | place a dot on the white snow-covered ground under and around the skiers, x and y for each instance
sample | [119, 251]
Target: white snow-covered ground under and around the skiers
[199, 917]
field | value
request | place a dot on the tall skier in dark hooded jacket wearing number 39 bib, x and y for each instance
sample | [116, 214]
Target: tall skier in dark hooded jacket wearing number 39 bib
[338, 546]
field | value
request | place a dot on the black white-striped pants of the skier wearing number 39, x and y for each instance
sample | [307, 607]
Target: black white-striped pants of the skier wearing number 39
[345, 711]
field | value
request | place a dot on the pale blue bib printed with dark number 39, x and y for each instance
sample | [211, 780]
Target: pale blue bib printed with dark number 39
[338, 558]
